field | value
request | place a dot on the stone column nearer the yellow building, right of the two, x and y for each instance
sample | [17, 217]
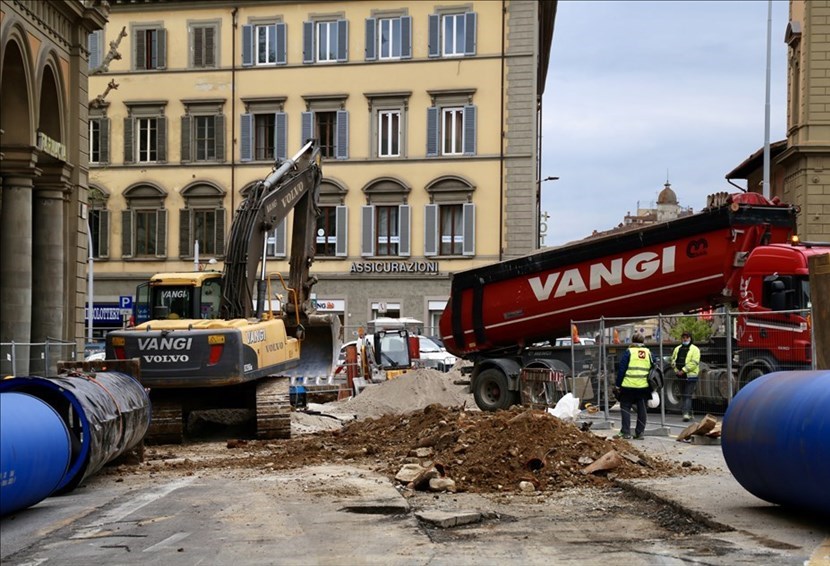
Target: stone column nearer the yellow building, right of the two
[49, 258]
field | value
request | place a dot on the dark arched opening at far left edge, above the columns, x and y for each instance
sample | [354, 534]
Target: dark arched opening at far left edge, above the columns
[15, 103]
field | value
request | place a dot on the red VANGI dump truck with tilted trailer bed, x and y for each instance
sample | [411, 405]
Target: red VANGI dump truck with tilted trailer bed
[739, 251]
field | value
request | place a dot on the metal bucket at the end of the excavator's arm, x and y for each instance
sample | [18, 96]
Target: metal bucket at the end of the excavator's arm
[319, 347]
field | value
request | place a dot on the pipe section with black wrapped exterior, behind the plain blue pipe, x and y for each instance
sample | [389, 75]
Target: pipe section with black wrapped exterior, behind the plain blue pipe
[106, 414]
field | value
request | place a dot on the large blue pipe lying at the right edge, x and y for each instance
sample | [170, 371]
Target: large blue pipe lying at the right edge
[776, 439]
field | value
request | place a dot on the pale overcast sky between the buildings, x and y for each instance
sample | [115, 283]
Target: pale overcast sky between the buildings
[639, 90]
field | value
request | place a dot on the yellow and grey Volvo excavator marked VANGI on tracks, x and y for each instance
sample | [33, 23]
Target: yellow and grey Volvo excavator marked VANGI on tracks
[215, 342]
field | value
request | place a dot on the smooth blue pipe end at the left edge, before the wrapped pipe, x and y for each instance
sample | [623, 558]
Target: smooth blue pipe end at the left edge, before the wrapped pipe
[34, 451]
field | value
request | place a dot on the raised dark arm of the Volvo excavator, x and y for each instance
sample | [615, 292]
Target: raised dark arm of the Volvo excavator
[294, 185]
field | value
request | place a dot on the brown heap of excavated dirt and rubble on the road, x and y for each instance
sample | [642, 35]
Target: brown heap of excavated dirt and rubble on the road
[482, 452]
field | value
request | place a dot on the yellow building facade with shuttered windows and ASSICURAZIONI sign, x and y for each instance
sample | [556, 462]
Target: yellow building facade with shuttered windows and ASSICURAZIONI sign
[427, 115]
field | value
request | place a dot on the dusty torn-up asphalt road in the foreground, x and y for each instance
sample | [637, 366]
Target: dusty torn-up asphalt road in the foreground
[347, 515]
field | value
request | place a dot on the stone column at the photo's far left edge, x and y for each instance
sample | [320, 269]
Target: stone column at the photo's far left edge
[16, 266]
